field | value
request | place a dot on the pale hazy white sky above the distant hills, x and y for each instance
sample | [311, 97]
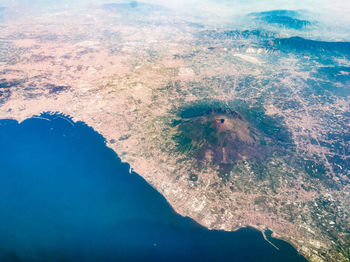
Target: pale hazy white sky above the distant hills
[332, 16]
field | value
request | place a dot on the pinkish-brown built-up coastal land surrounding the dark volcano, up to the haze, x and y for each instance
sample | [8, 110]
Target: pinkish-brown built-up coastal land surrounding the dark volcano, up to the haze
[235, 127]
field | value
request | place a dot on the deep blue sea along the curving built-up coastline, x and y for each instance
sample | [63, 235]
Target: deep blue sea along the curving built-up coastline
[65, 196]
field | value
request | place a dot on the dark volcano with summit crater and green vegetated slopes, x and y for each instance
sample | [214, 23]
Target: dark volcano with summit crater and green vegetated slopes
[224, 132]
